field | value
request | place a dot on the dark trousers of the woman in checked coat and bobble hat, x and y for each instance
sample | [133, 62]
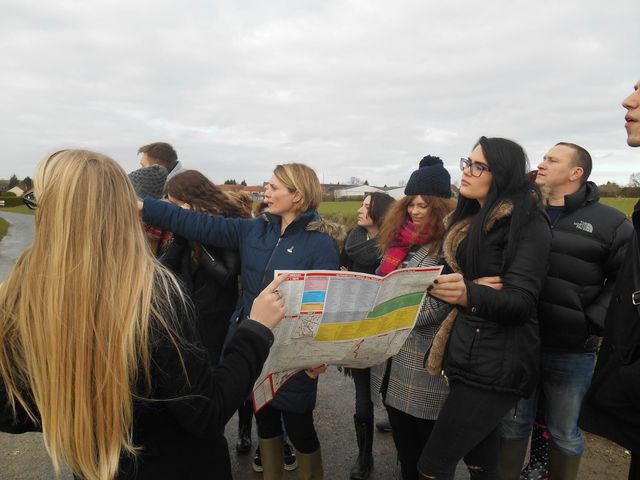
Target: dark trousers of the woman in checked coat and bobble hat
[410, 435]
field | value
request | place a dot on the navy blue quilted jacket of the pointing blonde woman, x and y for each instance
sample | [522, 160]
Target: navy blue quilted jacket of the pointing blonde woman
[305, 245]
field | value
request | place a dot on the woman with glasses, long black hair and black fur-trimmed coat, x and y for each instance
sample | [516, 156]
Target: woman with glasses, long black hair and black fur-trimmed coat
[497, 245]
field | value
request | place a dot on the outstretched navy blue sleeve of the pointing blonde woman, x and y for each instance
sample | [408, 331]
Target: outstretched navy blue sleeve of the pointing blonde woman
[201, 227]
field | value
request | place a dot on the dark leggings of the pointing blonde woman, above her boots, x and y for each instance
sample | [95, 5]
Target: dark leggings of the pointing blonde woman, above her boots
[299, 426]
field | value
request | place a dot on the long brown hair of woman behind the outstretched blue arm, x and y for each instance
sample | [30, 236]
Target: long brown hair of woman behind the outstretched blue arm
[202, 194]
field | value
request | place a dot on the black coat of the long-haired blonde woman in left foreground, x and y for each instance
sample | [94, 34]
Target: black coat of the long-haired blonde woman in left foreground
[182, 435]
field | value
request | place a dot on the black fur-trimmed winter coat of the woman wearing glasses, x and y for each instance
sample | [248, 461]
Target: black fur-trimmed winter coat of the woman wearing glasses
[494, 343]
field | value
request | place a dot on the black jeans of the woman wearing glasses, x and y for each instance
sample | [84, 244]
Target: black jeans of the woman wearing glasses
[468, 427]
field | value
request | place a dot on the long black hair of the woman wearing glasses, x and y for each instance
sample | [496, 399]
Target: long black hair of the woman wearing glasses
[509, 166]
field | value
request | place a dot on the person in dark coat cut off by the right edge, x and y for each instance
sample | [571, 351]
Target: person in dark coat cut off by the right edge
[612, 406]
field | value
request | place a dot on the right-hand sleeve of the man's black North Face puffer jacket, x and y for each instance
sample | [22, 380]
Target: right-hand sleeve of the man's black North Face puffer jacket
[597, 311]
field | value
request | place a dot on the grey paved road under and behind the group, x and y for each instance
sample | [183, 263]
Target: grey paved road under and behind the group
[23, 457]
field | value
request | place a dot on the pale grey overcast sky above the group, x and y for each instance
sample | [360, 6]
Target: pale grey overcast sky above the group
[353, 88]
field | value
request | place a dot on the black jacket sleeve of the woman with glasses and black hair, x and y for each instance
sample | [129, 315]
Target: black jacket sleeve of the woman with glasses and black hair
[522, 281]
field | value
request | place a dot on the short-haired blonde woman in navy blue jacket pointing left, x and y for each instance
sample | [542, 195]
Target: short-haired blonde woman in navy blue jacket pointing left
[291, 236]
